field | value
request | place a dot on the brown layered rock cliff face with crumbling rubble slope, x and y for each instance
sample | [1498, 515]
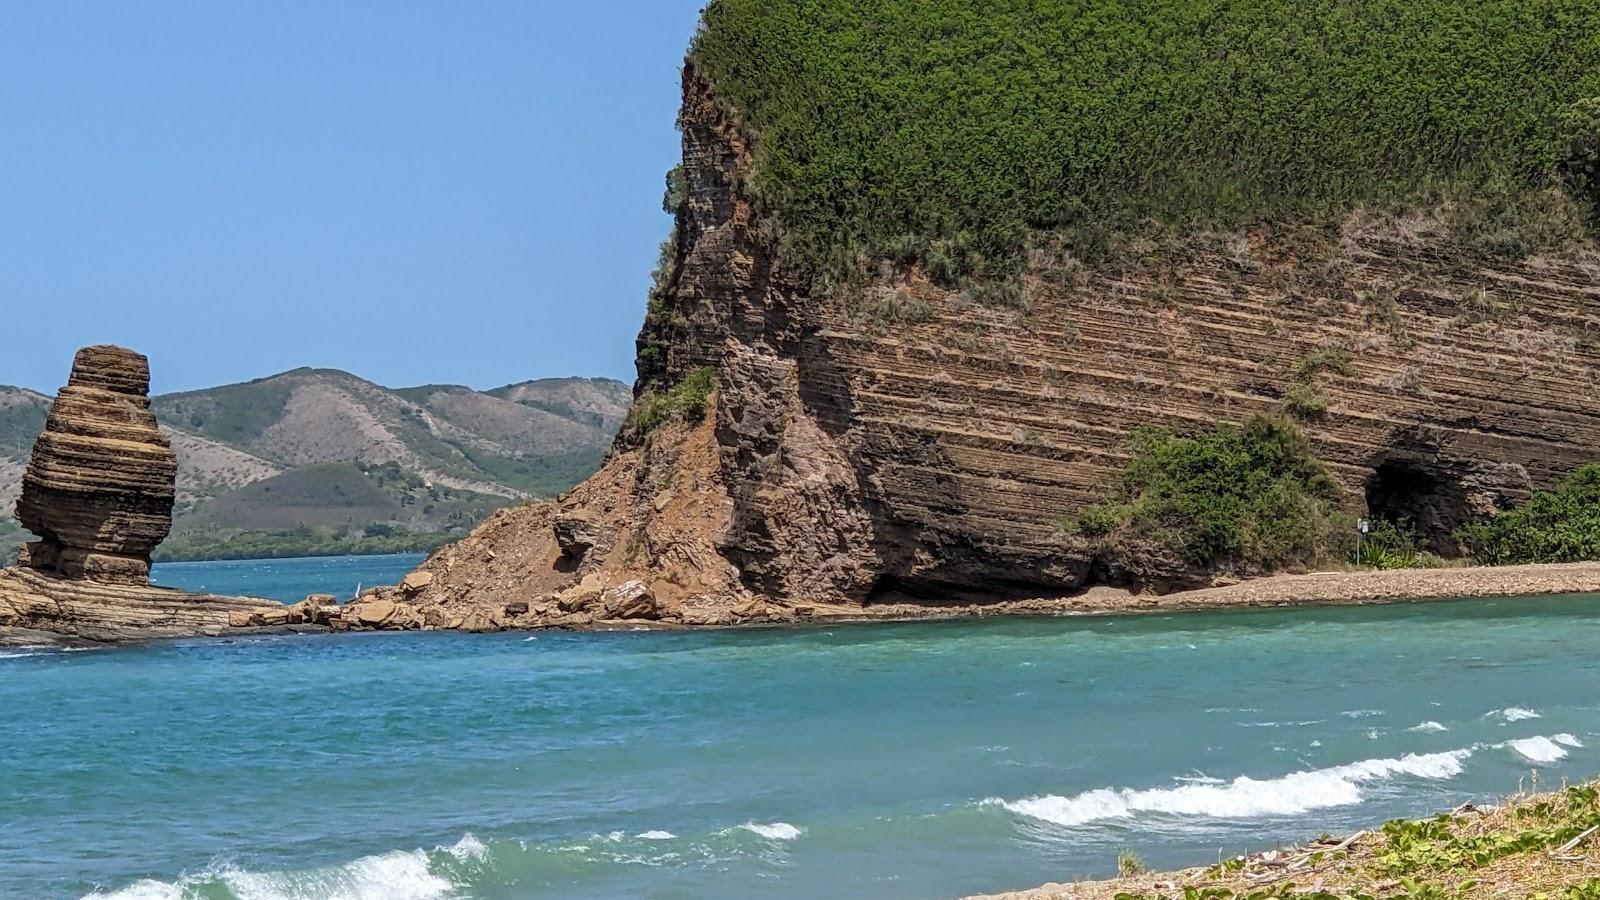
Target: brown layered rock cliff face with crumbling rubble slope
[906, 444]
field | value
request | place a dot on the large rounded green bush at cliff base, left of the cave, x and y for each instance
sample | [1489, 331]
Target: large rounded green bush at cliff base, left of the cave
[1244, 497]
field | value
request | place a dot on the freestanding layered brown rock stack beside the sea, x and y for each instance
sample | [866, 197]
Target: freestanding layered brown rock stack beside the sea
[103, 478]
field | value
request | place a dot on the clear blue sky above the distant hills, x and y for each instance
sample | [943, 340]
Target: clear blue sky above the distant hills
[410, 191]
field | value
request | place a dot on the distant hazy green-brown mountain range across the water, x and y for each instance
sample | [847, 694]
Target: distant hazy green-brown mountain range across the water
[319, 460]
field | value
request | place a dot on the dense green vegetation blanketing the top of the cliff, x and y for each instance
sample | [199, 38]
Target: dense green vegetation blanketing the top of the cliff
[913, 127]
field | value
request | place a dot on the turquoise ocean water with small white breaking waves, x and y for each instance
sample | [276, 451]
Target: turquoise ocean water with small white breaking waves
[890, 761]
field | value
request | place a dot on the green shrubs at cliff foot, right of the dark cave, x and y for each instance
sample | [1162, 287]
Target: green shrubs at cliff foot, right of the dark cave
[1553, 526]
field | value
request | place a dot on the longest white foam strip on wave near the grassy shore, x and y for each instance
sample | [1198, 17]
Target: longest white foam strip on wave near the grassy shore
[1241, 798]
